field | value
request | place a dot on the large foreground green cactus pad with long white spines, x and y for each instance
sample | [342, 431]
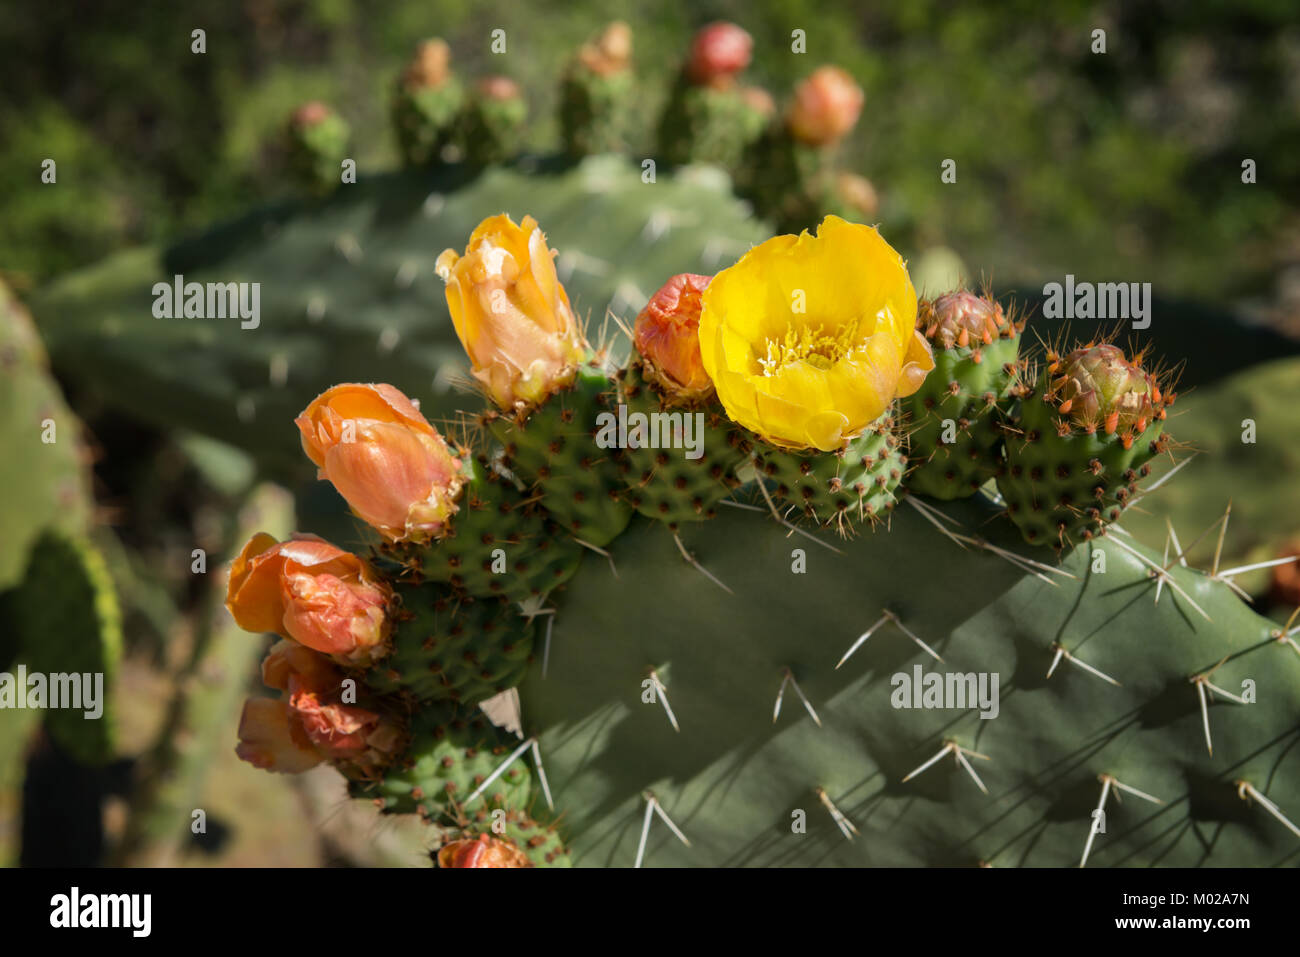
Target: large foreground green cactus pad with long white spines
[743, 787]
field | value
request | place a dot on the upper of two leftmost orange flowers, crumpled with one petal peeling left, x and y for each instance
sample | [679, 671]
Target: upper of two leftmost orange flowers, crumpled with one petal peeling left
[309, 591]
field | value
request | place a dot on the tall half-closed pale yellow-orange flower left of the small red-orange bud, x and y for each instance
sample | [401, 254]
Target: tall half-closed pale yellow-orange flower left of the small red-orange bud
[512, 313]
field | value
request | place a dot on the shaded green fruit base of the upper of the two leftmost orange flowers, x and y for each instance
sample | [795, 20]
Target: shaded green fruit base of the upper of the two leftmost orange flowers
[447, 648]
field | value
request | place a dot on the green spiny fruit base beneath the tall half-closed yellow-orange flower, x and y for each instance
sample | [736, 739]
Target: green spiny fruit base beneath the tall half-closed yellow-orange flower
[556, 449]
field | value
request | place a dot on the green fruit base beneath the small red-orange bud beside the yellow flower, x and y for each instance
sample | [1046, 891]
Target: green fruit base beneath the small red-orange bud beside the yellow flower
[665, 484]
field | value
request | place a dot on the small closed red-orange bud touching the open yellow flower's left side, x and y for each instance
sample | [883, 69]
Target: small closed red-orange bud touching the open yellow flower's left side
[668, 337]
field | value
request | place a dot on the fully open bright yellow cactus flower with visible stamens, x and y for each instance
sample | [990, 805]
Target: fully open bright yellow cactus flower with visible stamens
[811, 339]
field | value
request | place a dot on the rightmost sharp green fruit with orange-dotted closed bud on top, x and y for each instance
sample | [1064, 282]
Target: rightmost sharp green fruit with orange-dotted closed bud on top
[1081, 443]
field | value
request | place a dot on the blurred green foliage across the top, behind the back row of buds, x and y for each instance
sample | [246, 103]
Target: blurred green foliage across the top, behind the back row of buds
[1065, 158]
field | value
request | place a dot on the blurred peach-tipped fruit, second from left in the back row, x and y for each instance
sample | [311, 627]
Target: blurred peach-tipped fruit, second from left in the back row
[427, 105]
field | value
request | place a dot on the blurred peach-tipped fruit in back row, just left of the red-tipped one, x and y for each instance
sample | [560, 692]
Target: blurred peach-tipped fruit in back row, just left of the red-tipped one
[596, 94]
